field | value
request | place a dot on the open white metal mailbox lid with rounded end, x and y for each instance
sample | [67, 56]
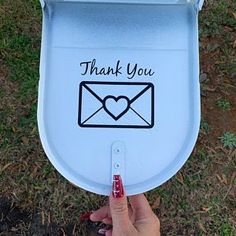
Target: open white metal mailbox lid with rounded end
[161, 37]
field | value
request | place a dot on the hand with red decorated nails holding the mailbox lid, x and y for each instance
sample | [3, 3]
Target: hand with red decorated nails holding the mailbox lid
[136, 220]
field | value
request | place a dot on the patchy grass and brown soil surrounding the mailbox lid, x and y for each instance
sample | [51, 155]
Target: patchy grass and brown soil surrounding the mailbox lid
[199, 200]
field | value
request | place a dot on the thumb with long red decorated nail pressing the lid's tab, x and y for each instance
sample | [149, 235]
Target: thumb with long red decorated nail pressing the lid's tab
[119, 204]
